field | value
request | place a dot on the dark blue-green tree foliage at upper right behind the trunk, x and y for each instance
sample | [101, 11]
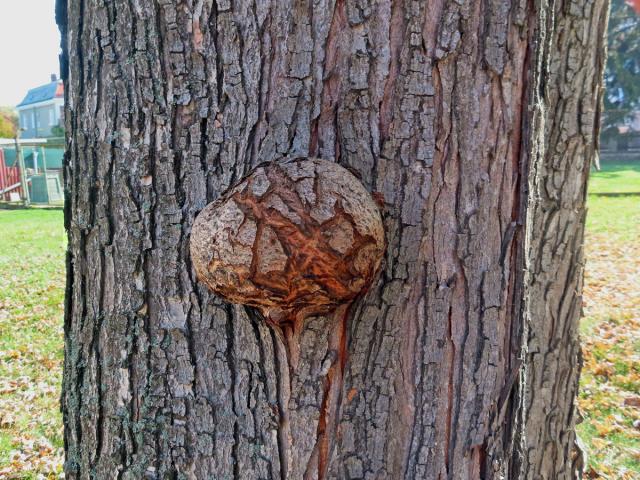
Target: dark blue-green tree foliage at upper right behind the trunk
[622, 75]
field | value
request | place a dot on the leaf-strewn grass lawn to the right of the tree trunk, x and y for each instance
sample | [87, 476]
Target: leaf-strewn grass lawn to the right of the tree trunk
[610, 385]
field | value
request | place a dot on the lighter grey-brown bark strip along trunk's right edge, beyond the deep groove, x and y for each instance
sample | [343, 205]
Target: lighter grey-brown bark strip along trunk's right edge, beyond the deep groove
[565, 129]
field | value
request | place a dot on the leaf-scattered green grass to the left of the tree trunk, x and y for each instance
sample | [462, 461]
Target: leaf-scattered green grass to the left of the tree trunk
[32, 246]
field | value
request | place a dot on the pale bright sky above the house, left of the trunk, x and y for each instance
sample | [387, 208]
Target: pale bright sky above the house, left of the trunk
[29, 47]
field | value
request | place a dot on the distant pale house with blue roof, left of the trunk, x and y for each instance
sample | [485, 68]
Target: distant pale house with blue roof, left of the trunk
[42, 109]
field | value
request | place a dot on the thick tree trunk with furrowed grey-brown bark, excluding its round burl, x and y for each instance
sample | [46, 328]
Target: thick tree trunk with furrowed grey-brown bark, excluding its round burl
[476, 122]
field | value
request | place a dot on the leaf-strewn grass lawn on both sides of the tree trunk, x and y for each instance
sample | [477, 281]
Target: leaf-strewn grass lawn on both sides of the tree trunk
[31, 297]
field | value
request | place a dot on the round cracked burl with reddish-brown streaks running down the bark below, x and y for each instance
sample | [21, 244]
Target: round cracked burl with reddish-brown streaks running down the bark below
[294, 238]
